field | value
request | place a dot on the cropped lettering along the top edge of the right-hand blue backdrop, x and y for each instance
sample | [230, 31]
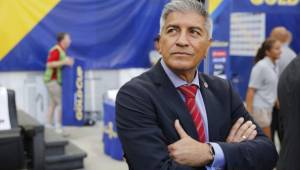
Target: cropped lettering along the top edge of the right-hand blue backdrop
[276, 2]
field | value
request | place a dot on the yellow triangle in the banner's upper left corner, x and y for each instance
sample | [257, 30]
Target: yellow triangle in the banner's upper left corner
[18, 18]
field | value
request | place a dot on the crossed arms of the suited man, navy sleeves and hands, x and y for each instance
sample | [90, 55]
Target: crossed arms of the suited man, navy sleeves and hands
[145, 144]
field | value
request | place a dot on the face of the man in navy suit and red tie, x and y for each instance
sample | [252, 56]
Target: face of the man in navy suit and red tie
[184, 41]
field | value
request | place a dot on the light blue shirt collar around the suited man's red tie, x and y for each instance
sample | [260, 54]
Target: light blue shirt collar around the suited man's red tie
[177, 81]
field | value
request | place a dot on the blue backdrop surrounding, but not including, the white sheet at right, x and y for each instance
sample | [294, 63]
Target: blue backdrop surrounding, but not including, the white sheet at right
[279, 13]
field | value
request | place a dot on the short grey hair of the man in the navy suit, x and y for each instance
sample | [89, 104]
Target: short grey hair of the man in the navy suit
[186, 5]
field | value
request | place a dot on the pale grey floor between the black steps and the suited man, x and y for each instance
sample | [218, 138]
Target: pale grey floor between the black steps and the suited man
[89, 139]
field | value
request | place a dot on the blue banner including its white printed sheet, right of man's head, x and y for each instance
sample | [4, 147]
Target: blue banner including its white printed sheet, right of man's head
[245, 24]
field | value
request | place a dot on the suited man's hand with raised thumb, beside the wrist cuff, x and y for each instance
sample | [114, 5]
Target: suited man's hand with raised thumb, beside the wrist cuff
[188, 151]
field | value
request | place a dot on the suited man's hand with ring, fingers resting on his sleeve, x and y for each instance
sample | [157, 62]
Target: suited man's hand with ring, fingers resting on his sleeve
[242, 131]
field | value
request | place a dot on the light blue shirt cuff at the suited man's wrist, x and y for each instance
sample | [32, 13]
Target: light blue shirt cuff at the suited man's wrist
[219, 159]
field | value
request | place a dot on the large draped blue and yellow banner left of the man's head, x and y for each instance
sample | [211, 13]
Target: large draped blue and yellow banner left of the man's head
[105, 34]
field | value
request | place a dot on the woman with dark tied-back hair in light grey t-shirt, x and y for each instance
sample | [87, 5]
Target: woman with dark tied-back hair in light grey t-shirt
[262, 88]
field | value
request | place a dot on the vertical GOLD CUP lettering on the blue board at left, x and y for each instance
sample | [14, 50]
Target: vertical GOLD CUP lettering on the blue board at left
[79, 93]
